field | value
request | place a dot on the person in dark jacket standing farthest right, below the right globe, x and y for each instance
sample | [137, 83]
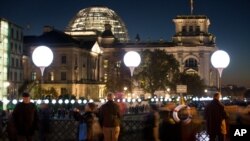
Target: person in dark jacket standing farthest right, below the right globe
[215, 114]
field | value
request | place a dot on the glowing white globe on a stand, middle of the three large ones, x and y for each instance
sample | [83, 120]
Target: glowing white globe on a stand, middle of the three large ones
[132, 59]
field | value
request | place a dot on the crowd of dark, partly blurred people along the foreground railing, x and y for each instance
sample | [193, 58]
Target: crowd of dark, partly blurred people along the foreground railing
[103, 122]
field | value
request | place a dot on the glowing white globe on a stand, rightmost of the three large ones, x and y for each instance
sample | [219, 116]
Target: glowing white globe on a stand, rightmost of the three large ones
[220, 60]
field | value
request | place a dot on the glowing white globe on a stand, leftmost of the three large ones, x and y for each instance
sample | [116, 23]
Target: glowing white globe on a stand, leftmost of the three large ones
[42, 57]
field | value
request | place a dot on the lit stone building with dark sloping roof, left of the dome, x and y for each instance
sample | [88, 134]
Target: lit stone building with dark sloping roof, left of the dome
[75, 68]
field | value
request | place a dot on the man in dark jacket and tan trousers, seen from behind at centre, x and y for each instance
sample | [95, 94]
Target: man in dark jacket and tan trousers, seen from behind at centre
[110, 118]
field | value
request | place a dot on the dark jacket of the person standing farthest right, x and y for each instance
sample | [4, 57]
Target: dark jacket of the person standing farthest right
[214, 114]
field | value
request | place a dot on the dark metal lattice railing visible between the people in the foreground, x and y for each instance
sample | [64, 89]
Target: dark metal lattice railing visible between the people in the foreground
[131, 129]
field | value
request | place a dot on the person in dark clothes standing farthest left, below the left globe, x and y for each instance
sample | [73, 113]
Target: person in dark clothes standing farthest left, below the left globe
[25, 117]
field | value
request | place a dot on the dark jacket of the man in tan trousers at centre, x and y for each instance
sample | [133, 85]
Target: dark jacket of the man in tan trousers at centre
[110, 114]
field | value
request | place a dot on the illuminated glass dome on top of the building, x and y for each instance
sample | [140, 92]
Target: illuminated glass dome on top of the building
[94, 18]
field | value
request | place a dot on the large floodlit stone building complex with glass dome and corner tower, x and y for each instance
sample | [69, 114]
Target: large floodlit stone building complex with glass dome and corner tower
[82, 53]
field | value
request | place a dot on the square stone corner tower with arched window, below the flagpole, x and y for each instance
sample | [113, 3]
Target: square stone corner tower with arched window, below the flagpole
[195, 45]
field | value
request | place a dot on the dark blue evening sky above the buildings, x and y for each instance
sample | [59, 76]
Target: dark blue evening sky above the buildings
[152, 19]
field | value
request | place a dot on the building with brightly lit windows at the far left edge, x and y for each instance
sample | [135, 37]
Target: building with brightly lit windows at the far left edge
[11, 51]
